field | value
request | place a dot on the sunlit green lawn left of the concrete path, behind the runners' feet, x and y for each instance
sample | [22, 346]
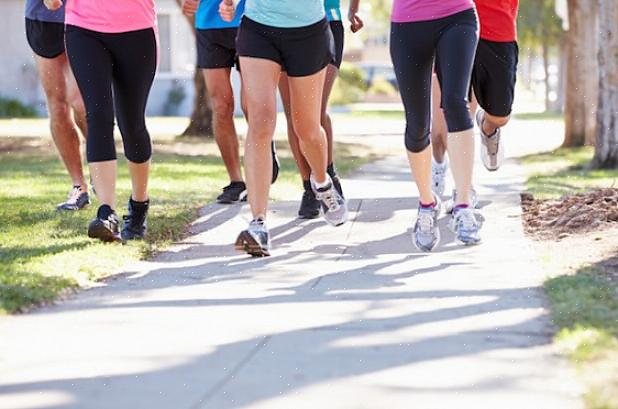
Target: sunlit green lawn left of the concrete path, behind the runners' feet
[44, 253]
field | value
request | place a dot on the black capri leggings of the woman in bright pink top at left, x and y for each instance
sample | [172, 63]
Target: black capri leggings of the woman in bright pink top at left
[122, 62]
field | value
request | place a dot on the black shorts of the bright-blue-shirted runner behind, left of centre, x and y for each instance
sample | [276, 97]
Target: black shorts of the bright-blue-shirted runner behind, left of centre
[216, 48]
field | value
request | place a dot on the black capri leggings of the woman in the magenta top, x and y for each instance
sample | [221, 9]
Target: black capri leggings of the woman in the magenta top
[450, 42]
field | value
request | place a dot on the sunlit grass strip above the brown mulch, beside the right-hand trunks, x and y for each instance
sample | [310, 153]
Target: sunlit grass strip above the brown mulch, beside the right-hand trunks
[565, 171]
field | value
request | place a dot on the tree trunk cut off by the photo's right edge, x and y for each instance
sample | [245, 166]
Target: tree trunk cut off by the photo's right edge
[606, 147]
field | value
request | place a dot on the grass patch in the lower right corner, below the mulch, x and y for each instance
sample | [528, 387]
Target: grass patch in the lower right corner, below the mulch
[585, 310]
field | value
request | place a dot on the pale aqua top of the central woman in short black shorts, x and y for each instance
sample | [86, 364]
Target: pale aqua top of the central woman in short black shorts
[285, 13]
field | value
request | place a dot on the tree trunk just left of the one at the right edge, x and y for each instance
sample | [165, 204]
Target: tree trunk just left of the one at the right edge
[581, 63]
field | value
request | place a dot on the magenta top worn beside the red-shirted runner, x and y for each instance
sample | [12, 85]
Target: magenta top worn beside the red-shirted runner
[406, 11]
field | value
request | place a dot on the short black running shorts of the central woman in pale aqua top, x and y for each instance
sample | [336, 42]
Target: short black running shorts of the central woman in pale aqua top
[301, 51]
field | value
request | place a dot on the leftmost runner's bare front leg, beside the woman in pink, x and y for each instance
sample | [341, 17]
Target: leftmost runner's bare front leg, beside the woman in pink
[63, 130]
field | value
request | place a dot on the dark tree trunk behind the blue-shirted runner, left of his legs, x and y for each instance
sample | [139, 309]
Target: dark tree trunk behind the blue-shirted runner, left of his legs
[200, 123]
